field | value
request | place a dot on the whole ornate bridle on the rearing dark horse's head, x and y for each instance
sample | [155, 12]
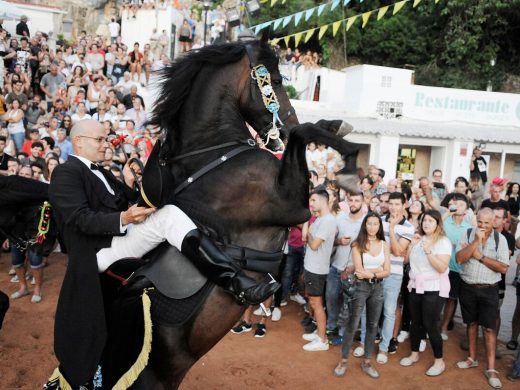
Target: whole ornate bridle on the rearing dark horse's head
[261, 77]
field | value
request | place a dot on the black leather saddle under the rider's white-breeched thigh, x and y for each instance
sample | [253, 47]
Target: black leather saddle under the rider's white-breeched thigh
[172, 274]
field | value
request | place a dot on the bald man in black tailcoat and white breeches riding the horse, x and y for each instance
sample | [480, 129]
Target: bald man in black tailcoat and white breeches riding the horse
[98, 228]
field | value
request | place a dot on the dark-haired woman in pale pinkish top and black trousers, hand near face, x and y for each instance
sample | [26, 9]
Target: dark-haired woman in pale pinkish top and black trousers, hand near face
[429, 287]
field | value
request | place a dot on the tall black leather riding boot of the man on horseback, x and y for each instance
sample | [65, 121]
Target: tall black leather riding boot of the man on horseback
[221, 270]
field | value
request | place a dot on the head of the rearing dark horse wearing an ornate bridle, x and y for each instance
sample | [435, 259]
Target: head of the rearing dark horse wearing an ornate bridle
[263, 102]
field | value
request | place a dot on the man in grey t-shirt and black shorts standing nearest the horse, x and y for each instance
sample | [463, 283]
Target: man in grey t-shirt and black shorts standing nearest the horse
[320, 241]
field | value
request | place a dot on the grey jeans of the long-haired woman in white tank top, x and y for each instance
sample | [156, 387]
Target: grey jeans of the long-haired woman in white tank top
[371, 296]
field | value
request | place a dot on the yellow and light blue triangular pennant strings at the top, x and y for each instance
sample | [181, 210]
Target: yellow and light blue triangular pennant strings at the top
[306, 35]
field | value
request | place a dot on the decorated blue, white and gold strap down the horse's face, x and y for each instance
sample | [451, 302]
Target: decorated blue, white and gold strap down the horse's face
[263, 79]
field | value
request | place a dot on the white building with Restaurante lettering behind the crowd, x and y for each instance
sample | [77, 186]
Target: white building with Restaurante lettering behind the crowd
[410, 128]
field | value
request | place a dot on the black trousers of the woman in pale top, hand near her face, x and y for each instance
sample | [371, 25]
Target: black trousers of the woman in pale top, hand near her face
[425, 312]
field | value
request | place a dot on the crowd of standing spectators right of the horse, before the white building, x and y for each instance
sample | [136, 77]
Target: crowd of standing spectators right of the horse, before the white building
[395, 259]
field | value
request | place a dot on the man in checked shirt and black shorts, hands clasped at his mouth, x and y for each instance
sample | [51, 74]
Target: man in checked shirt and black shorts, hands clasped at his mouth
[484, 256]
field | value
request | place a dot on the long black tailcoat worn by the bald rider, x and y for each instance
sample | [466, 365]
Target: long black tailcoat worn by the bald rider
[88, 216]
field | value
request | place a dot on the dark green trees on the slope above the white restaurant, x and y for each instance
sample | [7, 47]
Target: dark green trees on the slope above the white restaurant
[450, 44]
